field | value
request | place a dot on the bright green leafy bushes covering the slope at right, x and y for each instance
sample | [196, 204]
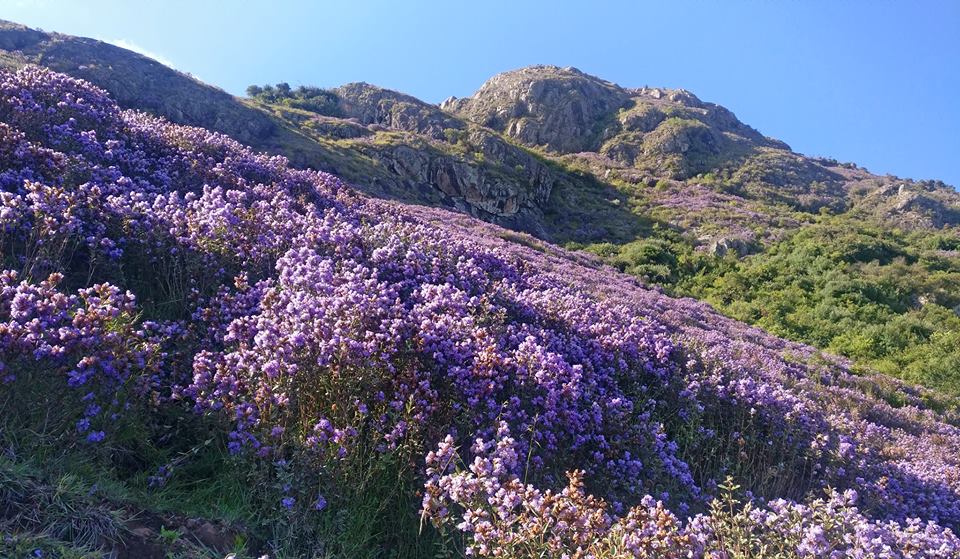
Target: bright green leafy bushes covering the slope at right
[886, 299]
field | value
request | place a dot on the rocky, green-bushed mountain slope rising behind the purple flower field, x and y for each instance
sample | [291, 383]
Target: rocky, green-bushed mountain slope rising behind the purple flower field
[663, 186]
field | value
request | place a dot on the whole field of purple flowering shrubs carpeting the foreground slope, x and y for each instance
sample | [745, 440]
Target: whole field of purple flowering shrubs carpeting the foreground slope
[541, 404]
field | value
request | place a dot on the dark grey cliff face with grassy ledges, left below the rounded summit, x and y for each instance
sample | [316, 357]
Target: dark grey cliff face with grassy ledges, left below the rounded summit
[400, 147]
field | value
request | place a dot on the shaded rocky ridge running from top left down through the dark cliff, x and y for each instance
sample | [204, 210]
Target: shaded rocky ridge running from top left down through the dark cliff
[386, 143]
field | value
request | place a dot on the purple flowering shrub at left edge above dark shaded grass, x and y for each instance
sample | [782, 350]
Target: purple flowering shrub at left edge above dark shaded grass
[91, 339]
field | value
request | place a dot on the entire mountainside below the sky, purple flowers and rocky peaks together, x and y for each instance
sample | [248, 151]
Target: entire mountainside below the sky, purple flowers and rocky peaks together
[520, 318]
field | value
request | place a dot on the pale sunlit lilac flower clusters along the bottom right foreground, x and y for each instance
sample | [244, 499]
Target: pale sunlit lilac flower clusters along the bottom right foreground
[503, 517]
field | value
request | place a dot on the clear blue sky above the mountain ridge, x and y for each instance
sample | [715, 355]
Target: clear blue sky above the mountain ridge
[874, 82]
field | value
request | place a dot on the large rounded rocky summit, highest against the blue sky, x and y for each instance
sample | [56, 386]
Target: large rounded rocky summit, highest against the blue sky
[664, 132]
